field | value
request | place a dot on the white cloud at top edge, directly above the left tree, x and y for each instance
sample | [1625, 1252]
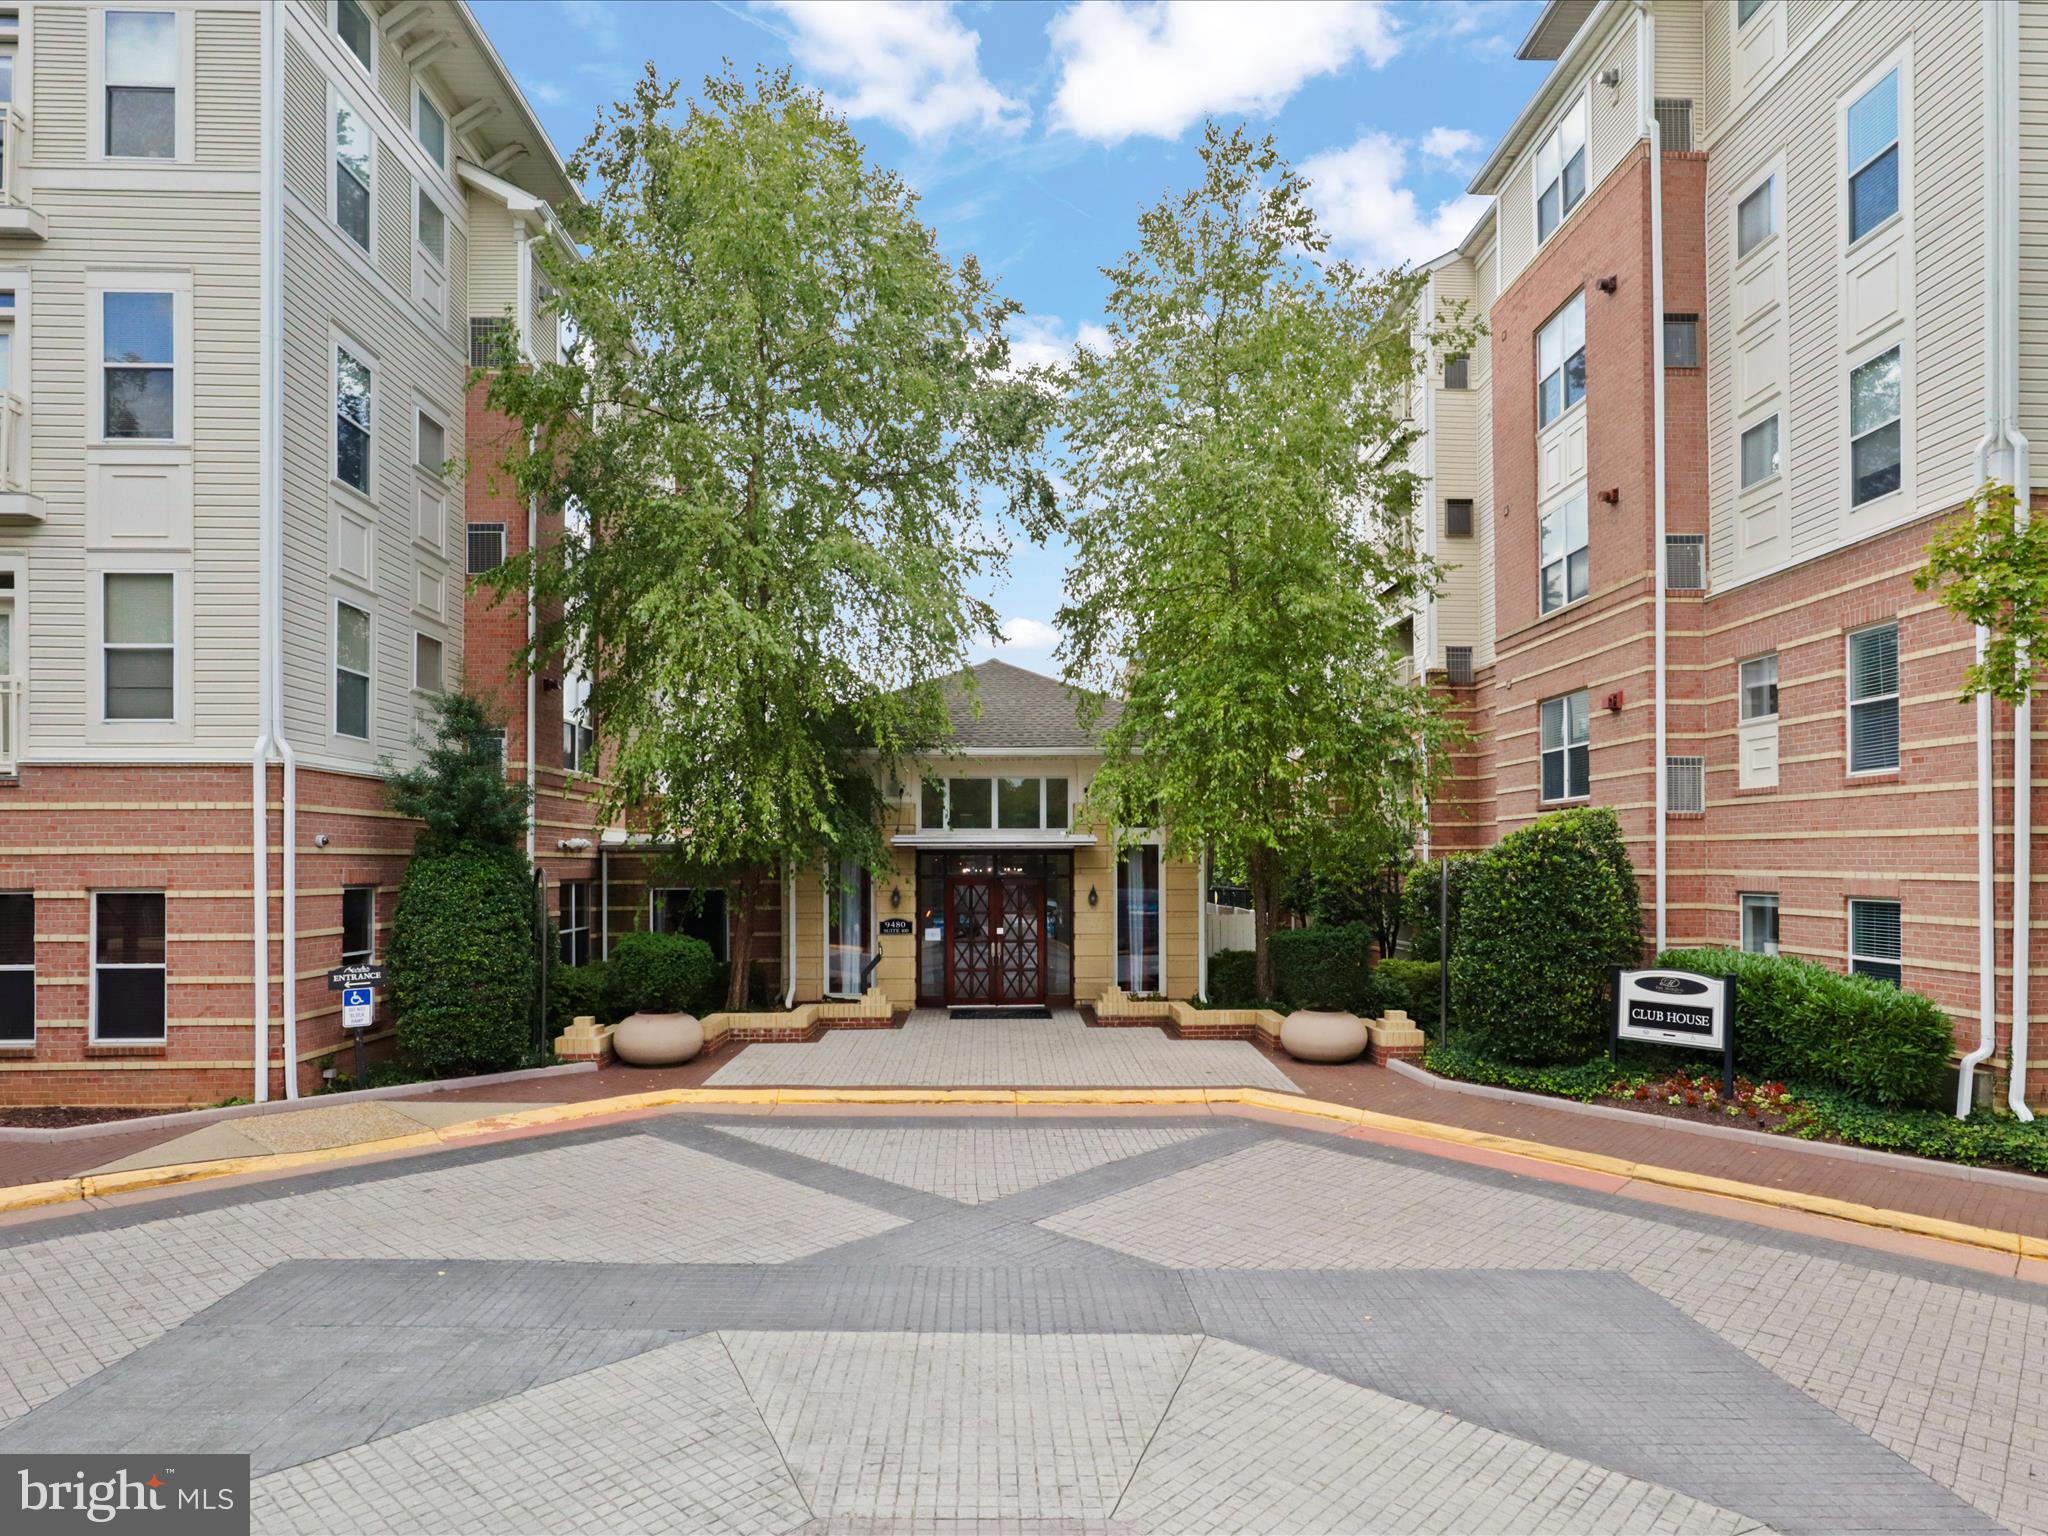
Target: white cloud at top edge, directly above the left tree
[908, 65]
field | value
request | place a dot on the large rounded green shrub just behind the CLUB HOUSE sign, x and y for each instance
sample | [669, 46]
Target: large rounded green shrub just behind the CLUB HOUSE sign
[1547, 912]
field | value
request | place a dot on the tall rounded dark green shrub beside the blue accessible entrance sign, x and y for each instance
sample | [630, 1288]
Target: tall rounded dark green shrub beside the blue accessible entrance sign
[462, 962]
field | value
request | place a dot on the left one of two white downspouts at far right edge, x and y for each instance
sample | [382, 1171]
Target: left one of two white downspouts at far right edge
[1988, 447]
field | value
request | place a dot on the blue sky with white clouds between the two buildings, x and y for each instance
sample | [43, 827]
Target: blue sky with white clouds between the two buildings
[1037, 132]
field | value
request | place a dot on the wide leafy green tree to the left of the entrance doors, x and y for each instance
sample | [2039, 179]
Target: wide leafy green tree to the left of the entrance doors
[790, 425]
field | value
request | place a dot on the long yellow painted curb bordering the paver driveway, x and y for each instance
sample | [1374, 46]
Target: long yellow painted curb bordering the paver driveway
[87, 1187]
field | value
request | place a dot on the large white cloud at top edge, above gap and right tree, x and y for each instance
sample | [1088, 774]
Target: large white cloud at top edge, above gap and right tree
[1160, 69]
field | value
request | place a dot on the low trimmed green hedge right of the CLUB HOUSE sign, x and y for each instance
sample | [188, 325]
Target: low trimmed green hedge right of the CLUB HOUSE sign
[1801, 1021]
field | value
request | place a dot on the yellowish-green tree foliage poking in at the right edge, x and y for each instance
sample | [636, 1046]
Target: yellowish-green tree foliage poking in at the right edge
[1992, 570]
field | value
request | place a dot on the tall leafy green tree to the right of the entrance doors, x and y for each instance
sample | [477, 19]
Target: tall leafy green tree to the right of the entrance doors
[1244, 544]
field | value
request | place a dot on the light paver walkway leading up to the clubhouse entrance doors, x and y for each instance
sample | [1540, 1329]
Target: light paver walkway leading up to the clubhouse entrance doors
[937, 1052]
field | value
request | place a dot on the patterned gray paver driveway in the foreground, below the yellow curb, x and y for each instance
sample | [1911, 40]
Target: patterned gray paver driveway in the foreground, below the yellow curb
[1082, 1326]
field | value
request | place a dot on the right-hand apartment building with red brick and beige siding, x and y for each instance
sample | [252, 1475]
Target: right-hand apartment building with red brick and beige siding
[1807, 312]
